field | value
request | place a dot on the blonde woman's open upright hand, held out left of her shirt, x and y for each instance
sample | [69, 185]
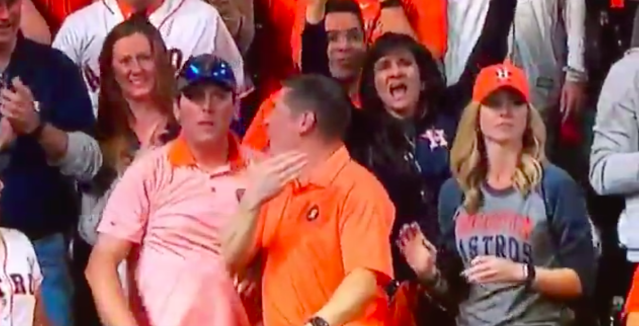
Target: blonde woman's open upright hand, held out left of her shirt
[420, 254]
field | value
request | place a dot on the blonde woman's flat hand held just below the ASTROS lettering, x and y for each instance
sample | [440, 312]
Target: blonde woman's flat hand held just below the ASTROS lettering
[491, 269]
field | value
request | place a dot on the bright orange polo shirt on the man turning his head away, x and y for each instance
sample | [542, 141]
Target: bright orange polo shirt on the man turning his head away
[314, 233]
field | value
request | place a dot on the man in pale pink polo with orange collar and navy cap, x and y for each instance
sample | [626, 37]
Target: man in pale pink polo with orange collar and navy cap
[168, 209]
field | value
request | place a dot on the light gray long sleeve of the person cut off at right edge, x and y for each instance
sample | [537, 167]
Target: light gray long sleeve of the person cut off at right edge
[614, 159]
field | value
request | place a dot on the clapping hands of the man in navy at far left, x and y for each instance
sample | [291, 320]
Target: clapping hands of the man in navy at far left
[19, 107]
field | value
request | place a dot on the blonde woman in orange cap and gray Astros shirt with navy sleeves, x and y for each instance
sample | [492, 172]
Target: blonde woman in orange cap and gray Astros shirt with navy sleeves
[517, 243]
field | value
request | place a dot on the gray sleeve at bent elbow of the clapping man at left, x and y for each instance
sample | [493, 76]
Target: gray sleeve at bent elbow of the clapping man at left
[83, 158]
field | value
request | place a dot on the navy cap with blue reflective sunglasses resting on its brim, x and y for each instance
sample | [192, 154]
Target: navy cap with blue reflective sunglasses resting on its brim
[206, 69]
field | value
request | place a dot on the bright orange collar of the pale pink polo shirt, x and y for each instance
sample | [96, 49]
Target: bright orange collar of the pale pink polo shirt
[180, 154]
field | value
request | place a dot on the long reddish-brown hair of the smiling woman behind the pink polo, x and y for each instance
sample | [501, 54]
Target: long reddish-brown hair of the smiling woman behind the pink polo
[113, 128]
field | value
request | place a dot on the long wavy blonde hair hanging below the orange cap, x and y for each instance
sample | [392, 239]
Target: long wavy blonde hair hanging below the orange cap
[469, 162]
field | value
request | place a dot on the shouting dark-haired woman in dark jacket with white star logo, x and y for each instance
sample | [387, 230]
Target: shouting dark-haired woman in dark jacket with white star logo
[402, 134]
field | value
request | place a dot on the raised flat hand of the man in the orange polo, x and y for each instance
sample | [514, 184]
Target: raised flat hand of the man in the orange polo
[270, 176]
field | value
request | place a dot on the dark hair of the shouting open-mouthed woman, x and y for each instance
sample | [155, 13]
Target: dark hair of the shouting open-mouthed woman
[374, 121]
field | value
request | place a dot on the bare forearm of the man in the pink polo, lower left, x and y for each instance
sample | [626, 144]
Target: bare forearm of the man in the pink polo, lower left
[109, 296]
